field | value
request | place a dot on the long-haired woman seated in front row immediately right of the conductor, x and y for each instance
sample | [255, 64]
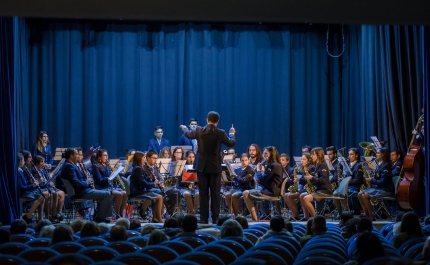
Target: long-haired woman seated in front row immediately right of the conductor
[270, 180]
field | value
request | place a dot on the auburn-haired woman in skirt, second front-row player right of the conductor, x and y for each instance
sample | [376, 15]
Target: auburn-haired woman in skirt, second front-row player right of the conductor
[319, 179]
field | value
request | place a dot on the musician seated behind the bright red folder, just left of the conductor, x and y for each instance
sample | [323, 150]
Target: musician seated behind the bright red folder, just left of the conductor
[187, 189]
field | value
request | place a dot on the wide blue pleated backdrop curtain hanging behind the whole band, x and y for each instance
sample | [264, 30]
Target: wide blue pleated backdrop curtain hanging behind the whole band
[110, 83]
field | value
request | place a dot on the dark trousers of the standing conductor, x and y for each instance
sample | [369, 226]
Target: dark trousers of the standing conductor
[209, 182]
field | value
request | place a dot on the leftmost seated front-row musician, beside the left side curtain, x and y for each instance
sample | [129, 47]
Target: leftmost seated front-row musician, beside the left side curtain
[28, 190]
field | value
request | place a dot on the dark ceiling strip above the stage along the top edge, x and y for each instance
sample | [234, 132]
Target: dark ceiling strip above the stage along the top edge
[408, 12]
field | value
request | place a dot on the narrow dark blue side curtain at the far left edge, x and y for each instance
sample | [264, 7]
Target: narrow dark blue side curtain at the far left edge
[8, 164]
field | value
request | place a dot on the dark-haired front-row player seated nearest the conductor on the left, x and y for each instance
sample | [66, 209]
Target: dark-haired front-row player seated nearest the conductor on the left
[151, 171]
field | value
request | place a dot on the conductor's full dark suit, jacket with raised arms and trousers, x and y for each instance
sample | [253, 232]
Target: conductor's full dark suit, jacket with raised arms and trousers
[208, 164]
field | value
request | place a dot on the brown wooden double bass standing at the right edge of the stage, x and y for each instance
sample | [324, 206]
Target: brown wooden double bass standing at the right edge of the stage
[411, 192]
